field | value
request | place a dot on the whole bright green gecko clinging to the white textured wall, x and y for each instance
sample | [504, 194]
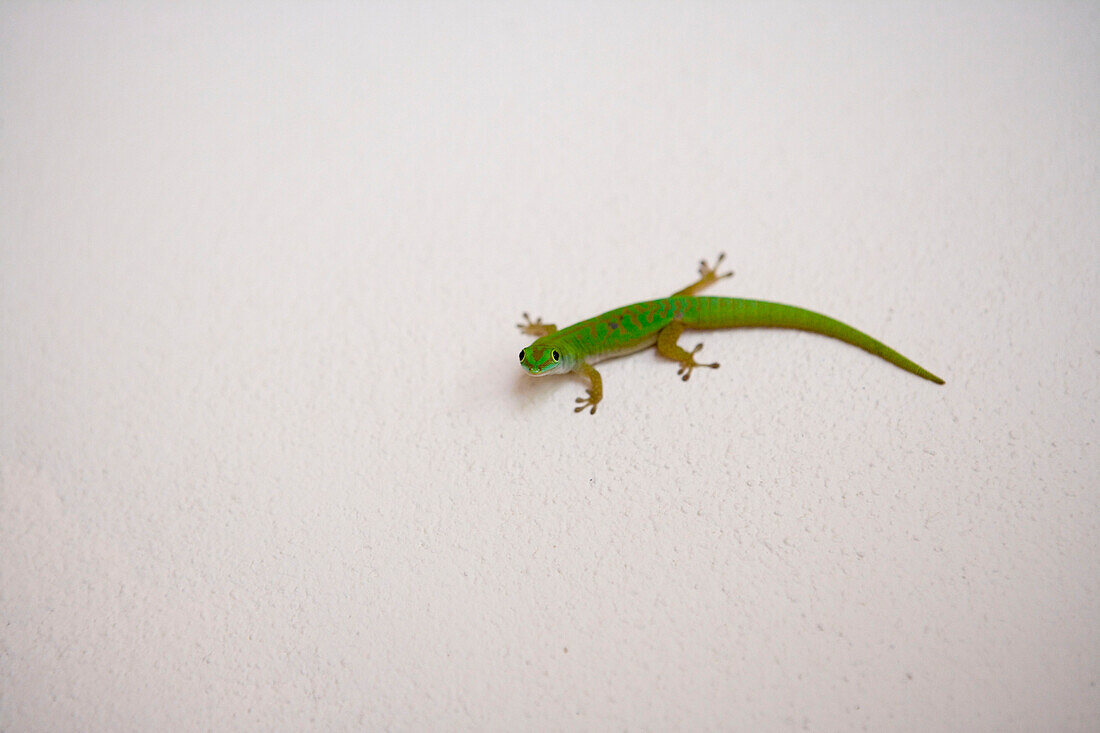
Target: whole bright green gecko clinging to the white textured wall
[640, 326]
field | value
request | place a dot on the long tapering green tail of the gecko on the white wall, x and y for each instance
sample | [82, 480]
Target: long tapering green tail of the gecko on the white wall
[738, 313]
